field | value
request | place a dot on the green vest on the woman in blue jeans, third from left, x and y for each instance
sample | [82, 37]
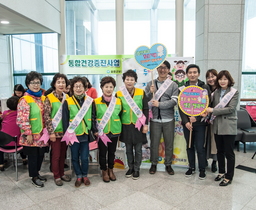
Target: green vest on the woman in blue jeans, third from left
[73, 110]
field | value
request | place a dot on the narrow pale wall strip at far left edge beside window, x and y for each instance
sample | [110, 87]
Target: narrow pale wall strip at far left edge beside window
[5, 69]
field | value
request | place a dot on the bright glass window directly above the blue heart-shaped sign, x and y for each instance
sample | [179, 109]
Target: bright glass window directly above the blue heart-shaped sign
[148, 22]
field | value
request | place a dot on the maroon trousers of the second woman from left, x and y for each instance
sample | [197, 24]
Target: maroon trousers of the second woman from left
[58, 153]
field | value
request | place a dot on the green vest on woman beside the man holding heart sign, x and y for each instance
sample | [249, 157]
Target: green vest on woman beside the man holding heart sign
[128, 115]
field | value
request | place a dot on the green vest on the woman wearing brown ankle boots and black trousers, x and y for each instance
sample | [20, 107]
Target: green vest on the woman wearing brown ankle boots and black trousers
[114, 124]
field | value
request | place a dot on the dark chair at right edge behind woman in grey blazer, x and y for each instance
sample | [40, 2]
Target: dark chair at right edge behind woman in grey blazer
[246, 133]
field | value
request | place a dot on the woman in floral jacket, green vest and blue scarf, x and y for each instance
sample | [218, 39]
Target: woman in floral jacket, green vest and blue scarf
[30, 120]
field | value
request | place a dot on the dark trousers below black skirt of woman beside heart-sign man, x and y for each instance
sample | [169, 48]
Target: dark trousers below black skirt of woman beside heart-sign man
[134, 161]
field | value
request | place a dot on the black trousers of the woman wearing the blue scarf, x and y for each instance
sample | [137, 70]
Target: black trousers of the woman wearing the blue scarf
[35, 163]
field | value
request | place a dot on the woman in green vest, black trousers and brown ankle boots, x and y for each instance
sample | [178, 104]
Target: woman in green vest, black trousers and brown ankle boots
[112, 128]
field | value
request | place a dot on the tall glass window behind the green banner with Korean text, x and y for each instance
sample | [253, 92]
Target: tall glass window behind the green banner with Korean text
[91, 30]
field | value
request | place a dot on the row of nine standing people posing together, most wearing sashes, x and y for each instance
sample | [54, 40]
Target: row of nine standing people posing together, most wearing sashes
[74, 119]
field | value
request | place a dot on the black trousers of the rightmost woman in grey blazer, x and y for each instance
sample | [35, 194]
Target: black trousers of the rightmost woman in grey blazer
[225, 149]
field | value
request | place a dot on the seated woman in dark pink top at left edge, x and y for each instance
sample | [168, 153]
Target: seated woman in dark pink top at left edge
[10, 127]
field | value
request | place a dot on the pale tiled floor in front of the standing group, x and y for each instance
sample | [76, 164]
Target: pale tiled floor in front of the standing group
[159, 191]
